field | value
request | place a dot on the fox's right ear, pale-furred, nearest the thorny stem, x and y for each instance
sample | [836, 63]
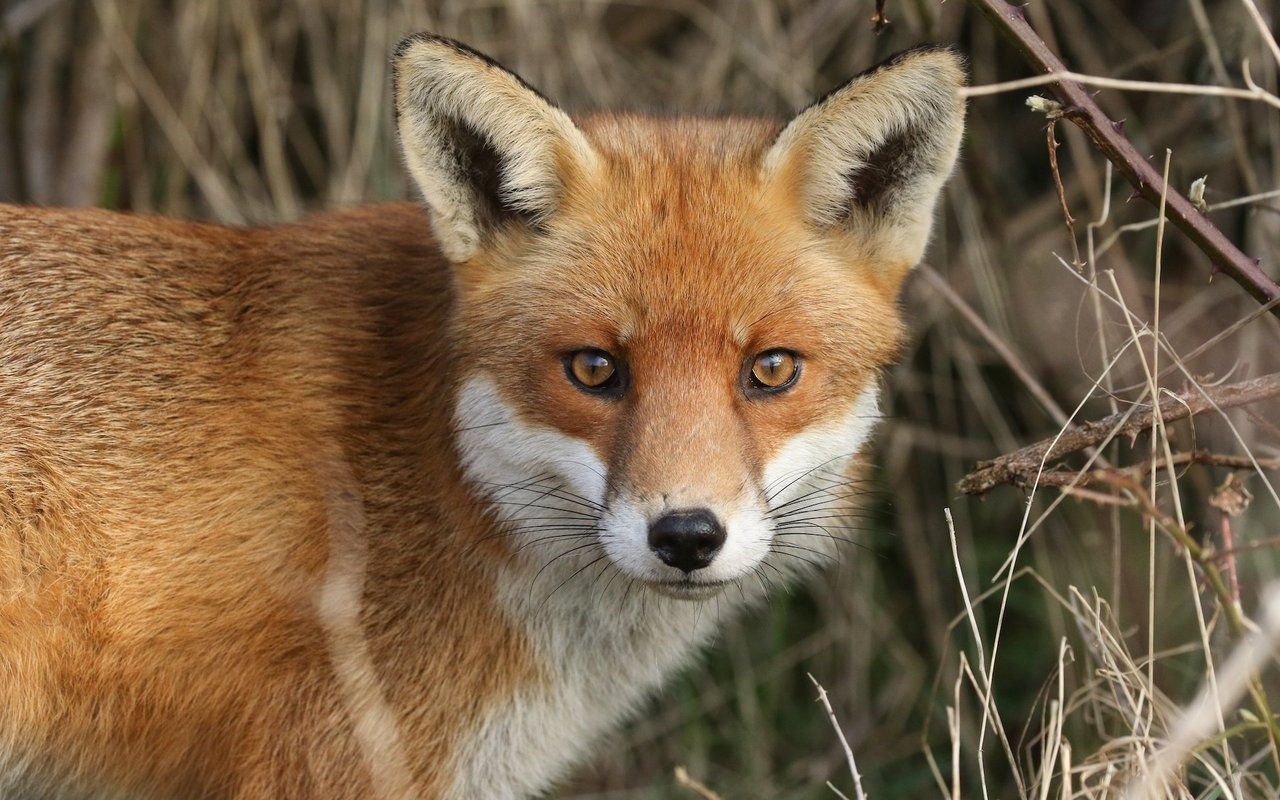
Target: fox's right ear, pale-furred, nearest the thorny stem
[871, 158]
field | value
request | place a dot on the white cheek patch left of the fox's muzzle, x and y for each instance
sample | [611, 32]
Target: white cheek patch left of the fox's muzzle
[534, 477]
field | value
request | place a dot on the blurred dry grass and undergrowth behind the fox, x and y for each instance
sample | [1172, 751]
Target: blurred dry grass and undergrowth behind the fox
[252, 113]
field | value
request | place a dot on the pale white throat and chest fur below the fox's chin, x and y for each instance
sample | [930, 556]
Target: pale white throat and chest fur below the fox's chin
[601, 651]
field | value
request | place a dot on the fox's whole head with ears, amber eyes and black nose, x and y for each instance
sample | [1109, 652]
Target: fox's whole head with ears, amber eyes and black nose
[669, 333]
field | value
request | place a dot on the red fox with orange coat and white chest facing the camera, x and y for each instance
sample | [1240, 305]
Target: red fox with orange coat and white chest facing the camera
[418, 504]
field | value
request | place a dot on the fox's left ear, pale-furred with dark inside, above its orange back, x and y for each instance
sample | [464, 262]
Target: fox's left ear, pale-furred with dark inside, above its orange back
[483, 147]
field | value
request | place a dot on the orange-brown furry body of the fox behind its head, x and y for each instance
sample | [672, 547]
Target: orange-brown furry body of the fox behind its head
[176, 401]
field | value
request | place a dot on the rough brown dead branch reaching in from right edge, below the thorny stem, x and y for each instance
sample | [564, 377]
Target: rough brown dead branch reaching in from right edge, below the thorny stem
[1021, 468]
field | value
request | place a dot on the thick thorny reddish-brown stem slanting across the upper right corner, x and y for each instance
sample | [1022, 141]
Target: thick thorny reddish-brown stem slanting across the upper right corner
[1081, 109]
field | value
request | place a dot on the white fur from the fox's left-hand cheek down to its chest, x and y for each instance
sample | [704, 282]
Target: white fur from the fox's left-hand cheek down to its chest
[602, 642]
